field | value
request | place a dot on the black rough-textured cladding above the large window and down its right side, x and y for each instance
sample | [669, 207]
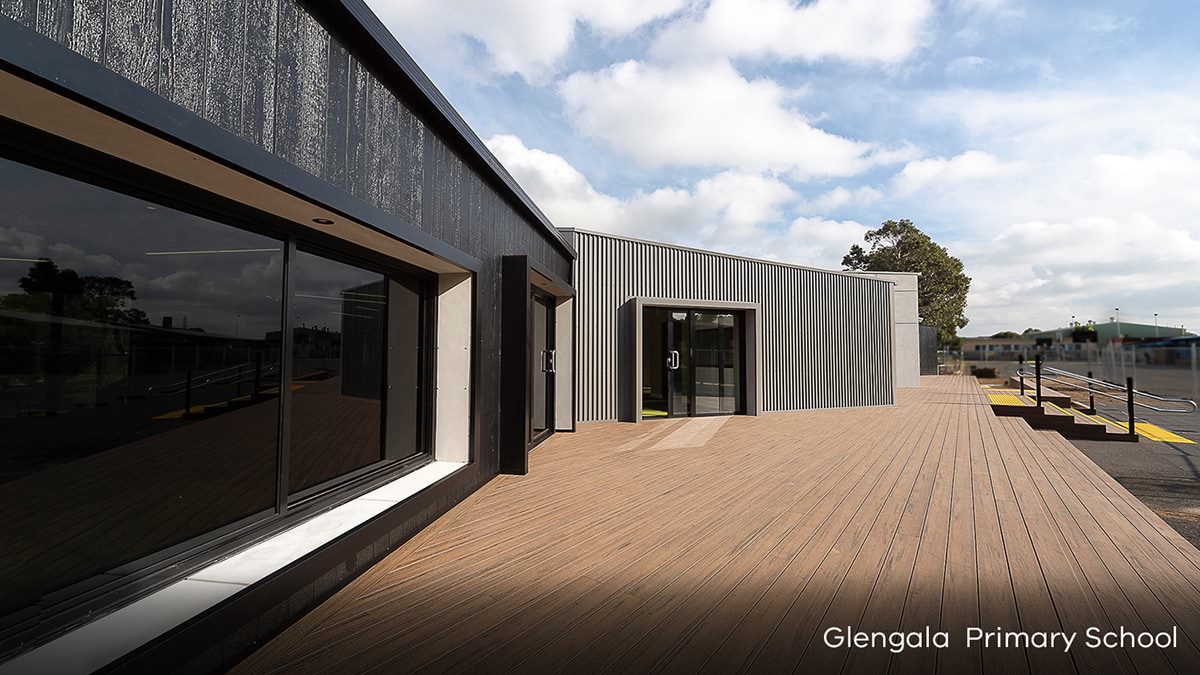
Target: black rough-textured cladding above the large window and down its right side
[287, 76]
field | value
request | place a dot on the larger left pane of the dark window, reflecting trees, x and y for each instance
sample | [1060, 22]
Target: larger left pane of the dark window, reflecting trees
[140, 379]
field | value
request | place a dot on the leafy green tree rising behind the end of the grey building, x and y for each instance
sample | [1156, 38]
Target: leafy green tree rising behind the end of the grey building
[943, 290]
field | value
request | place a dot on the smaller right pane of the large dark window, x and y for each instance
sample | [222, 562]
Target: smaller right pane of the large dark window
[352, 327]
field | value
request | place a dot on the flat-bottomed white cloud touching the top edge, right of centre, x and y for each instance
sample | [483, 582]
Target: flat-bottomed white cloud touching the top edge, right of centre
[855, 31]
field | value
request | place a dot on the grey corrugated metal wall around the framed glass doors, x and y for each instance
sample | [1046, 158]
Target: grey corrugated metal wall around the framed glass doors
[826, 337]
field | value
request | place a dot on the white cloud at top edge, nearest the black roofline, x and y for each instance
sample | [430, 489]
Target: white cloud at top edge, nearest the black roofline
[527, 38]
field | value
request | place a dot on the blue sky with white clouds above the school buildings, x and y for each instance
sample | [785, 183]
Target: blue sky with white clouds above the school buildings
[1053, 146]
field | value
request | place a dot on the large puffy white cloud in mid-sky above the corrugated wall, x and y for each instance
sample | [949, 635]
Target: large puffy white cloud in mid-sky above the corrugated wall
[707, 116]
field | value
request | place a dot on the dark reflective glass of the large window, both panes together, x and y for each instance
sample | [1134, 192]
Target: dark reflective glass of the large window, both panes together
[143, 383]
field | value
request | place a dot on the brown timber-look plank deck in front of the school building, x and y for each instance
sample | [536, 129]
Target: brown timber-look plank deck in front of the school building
[735, 555]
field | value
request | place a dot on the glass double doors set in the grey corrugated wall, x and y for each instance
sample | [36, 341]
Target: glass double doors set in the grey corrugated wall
[692, 363]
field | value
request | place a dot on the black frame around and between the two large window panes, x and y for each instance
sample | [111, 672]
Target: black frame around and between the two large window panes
[63, 610]
